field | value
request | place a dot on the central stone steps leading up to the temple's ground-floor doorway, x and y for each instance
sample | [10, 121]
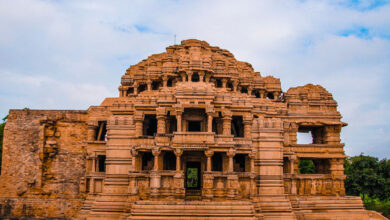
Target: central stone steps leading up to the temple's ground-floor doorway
[229, 210]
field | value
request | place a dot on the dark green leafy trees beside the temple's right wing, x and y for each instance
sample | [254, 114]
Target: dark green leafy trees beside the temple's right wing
[369, 178]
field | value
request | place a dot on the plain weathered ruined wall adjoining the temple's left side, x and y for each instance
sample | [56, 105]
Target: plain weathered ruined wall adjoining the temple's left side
[43, 163]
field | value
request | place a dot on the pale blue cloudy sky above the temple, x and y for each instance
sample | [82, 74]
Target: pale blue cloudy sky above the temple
[71, 54]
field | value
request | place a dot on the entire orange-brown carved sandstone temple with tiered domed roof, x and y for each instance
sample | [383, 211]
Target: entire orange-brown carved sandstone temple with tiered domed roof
[194, 134]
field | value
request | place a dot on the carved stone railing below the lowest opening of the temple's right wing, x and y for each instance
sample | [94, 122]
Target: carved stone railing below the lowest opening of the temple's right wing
[314, 184]
